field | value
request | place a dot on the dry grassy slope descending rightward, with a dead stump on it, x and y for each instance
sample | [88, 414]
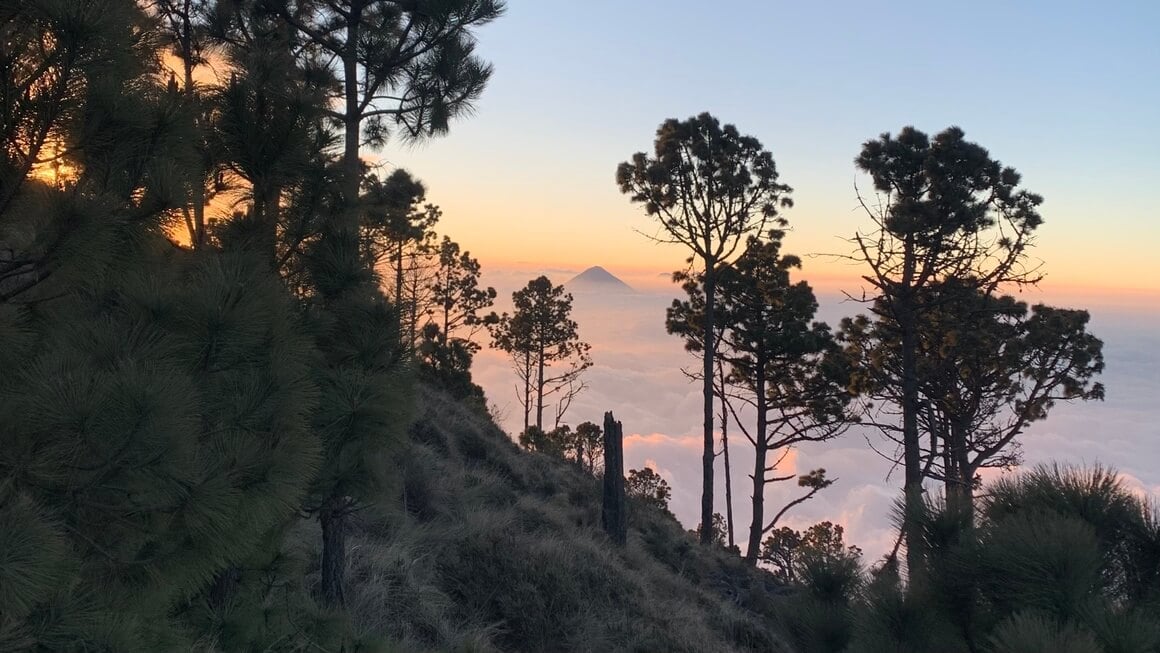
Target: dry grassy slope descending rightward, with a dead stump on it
[489, 548]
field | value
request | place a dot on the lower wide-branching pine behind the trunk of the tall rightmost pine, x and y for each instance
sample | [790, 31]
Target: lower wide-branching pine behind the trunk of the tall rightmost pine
[988, 369]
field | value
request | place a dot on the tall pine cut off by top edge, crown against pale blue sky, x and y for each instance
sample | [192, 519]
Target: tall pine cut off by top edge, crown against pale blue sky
[390, 66]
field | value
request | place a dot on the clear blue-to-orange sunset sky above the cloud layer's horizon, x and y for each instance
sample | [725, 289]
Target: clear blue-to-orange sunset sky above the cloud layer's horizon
[1065, 92]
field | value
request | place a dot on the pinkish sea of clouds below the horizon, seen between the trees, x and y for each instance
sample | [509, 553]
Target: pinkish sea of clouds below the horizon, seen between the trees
[637, 375]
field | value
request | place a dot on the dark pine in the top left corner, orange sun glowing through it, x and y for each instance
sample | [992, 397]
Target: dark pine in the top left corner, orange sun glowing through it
[91, 149]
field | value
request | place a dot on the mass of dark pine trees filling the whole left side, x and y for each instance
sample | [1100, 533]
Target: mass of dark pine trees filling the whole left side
[172, 411]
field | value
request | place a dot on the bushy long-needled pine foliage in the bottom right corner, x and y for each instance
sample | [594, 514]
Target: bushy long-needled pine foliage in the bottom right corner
[1058, 560]
